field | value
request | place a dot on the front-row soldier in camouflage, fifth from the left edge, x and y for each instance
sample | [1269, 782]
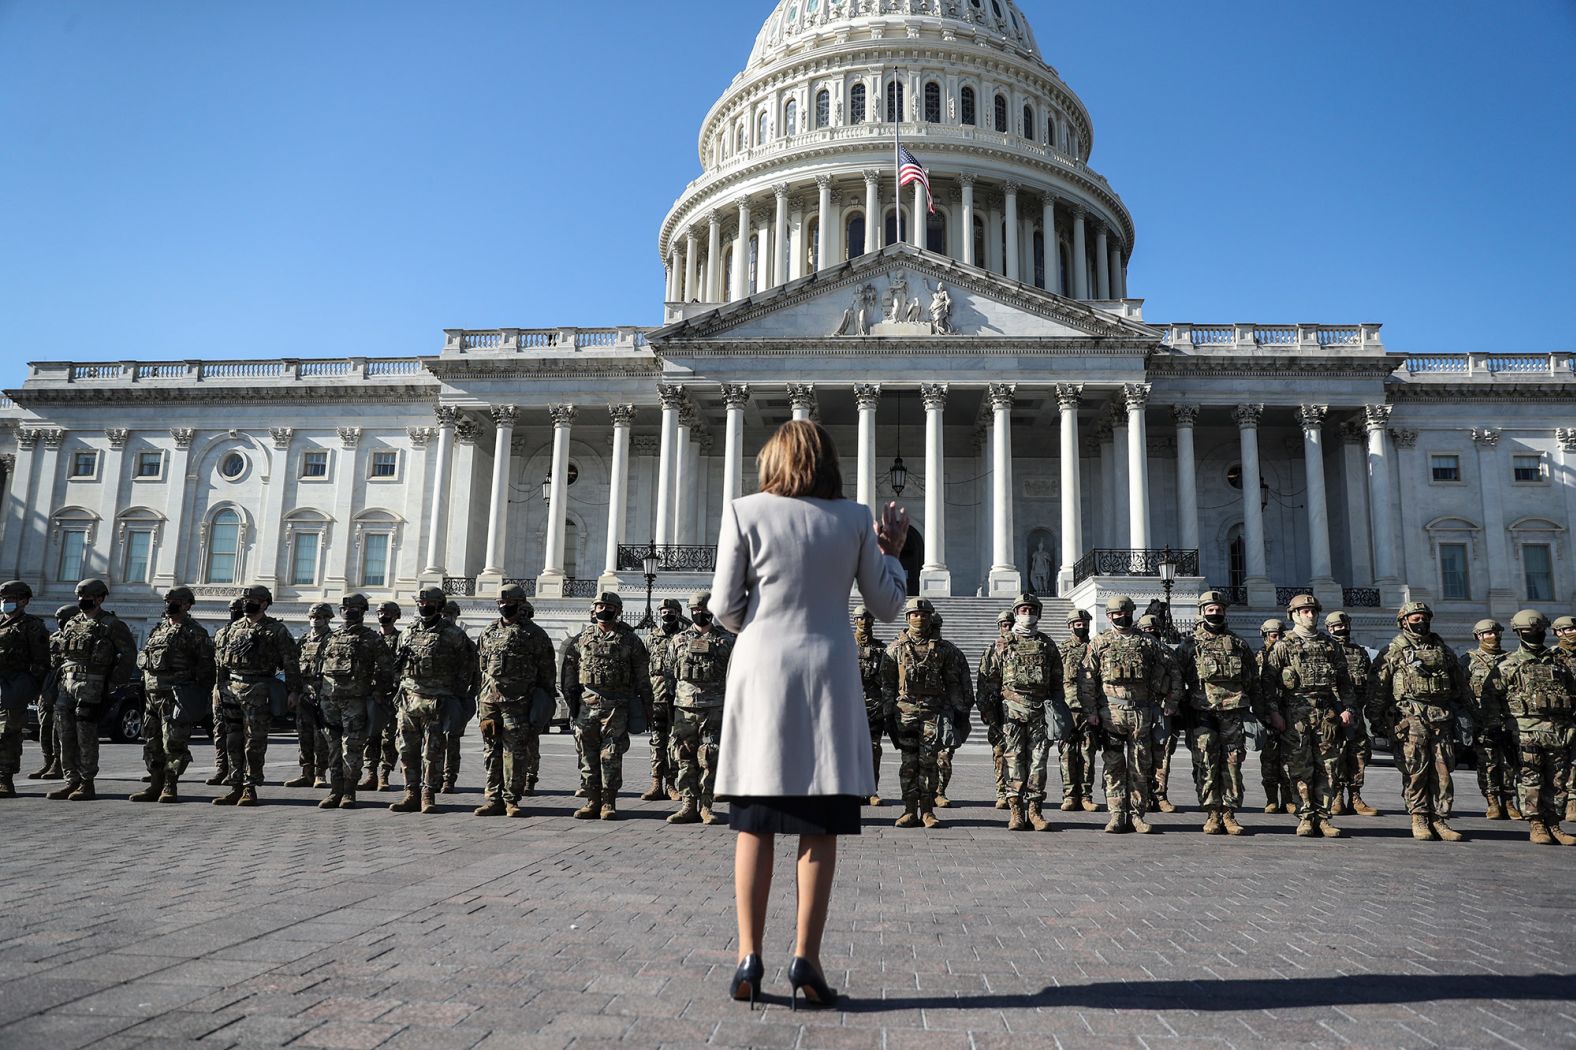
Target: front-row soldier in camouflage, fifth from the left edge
[355, 668]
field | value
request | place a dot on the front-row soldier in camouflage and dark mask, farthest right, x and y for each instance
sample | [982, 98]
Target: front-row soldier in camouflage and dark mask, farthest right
[1539, 691]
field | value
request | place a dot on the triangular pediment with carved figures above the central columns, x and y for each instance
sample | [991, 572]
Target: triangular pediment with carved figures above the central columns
[907, 294]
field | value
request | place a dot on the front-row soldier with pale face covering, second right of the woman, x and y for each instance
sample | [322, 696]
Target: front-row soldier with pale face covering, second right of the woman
[1022, 693]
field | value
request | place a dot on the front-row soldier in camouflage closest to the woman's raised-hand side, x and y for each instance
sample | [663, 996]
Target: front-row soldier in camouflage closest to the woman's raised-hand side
[923, 696]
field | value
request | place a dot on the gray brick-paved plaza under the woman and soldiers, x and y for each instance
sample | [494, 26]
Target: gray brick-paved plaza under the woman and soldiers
[157, 926]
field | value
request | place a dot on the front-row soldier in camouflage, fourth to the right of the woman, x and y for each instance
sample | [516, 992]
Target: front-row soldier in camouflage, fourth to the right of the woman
[1221, 687]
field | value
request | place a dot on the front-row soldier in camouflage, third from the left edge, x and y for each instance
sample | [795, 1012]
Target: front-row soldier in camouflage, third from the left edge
[177, 677]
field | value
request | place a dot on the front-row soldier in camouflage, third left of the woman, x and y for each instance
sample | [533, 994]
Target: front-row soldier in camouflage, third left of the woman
[518, 674]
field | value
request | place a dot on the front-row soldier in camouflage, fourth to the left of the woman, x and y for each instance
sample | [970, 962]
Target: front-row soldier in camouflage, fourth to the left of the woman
[436, 668]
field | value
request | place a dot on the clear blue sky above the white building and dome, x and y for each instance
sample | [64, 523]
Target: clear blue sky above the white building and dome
[314, 177]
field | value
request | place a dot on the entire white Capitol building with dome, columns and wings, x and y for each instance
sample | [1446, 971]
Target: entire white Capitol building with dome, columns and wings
[986, 365]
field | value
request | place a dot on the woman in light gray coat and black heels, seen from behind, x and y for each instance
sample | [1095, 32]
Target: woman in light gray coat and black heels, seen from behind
[795, 751]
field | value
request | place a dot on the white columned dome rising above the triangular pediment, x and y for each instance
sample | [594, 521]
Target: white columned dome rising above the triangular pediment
[806, 132]
